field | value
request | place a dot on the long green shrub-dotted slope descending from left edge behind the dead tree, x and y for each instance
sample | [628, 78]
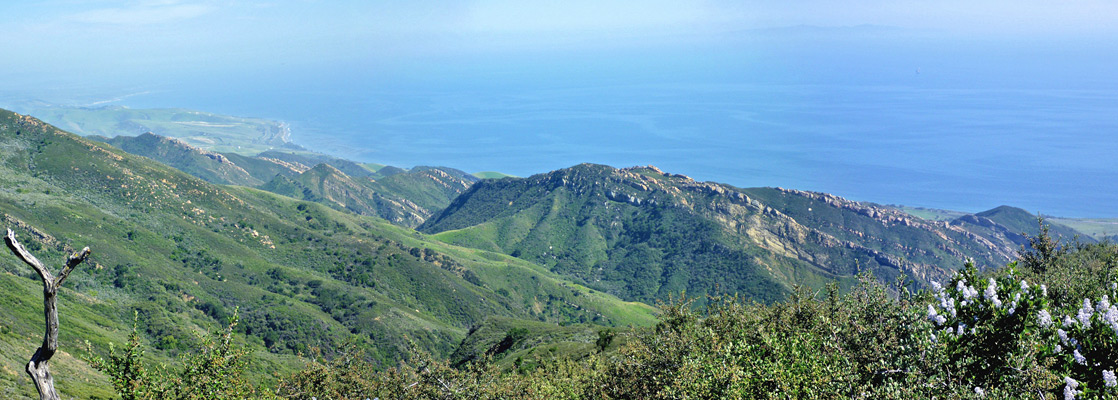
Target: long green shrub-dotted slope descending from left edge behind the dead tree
[183, 254]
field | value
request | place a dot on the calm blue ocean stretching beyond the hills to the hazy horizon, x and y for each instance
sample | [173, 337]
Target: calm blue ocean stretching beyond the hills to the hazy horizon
[965, 128]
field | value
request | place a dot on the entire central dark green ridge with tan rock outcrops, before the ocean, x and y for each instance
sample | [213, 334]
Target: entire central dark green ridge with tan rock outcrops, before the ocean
[642, 234]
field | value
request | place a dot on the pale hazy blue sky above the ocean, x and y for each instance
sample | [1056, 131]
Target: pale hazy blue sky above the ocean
[115, 41]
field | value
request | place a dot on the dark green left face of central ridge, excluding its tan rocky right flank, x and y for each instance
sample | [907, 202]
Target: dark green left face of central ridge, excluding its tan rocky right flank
[589, 224]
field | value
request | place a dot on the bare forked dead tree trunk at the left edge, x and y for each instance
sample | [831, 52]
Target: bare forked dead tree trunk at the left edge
[40, 366]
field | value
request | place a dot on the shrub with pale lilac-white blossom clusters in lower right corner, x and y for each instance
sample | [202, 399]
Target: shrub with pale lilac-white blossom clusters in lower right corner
[1010, 334]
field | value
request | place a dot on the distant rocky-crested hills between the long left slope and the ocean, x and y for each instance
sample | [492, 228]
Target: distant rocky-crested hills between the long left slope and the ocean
[402, 197]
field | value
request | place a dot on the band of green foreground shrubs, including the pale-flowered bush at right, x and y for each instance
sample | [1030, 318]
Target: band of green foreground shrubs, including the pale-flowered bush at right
[1038, 329]
